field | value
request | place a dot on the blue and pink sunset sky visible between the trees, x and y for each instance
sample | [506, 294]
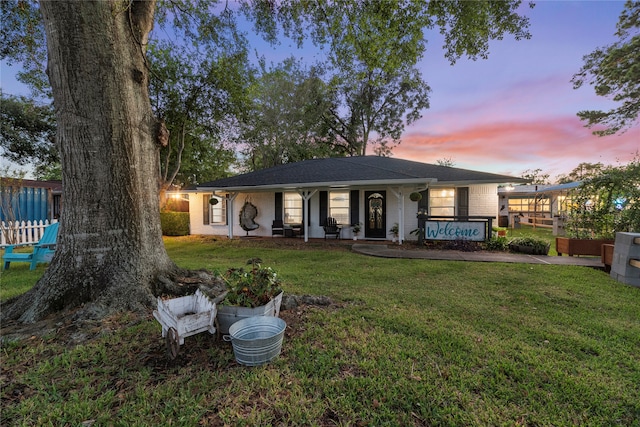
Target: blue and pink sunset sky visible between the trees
[515, 111]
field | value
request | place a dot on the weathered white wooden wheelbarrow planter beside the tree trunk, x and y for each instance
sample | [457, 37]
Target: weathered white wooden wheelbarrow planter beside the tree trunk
[188, 315]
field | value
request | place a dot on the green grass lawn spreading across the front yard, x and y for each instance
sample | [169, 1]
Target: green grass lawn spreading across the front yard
[410, 342]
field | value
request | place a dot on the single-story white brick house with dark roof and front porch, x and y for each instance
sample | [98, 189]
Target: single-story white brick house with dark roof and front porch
[296, 199]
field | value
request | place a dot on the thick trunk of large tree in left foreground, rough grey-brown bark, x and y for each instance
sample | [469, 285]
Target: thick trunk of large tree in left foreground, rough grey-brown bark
[110, 251]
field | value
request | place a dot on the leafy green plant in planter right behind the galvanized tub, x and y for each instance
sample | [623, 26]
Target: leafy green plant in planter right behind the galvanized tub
[250, 292]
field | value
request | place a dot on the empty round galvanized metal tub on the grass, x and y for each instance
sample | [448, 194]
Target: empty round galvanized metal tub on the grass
[256, 340]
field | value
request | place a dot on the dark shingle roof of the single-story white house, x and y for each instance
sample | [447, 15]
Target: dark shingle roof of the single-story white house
[355, 171]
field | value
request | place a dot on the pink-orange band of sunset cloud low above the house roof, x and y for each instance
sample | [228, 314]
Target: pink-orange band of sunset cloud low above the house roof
[554, 145]
